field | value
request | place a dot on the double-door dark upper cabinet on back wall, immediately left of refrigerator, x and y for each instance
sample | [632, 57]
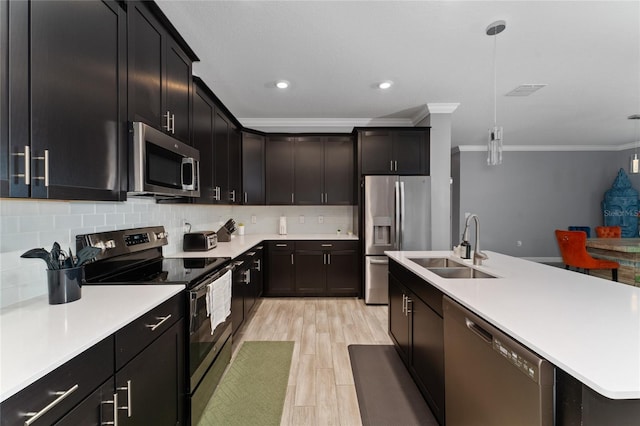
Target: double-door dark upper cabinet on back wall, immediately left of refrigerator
[324, 170]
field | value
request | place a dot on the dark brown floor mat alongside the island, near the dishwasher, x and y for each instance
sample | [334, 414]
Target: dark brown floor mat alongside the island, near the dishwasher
[387, 395]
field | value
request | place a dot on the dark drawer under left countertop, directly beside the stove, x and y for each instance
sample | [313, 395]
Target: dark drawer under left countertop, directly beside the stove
[133, 338]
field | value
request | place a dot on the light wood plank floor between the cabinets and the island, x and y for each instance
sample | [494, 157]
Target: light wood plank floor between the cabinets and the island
[321, 391]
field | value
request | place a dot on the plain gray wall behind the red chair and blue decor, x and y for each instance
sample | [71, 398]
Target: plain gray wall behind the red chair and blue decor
[530, 195]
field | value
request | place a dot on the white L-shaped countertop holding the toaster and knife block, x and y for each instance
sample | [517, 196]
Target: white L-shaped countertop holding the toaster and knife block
[240, 244]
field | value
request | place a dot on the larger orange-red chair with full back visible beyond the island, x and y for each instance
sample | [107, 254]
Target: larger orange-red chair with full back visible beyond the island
[573, 247]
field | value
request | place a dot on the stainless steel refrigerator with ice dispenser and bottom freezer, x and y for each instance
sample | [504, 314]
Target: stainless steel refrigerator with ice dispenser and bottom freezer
[396, 216]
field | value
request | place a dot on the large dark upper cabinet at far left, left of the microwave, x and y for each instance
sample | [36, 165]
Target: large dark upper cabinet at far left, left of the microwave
[64, 136]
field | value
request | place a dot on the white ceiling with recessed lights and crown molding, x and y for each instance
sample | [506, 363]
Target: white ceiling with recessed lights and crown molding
[335, 52]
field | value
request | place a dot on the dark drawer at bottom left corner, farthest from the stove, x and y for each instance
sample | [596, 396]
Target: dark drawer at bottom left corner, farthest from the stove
[76, 378]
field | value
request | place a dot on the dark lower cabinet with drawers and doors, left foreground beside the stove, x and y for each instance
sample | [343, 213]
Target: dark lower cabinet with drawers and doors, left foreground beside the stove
[147, 387]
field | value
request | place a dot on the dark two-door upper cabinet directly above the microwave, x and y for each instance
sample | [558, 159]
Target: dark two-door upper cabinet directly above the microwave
[159, 68]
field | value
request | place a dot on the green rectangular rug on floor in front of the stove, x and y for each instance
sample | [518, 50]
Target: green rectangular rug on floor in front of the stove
[253, 389]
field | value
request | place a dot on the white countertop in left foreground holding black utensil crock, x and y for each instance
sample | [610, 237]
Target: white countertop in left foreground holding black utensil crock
[37, 337]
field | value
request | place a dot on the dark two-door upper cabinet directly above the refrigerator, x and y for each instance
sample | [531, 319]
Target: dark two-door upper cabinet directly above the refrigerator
[401, 151]
